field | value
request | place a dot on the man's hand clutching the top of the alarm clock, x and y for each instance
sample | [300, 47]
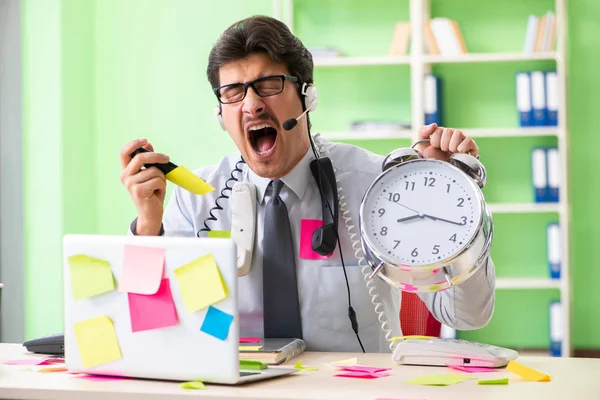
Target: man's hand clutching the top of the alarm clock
[443, 142]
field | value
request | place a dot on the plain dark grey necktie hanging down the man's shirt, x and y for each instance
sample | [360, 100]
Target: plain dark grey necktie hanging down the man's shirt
[280, 285]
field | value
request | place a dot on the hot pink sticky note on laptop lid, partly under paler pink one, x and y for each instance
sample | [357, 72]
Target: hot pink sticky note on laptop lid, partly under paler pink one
[152, 311]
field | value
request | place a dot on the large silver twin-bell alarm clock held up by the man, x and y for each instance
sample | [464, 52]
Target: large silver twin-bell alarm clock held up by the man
[424, 223]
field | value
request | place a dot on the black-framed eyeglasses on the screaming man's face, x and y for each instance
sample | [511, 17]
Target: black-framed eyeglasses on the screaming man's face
[265, 86]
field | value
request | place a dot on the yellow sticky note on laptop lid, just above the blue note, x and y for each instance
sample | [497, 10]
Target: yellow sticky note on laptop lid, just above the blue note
[201, 283]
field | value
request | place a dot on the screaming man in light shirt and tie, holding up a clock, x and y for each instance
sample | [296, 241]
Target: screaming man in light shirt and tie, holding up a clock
[258, 69]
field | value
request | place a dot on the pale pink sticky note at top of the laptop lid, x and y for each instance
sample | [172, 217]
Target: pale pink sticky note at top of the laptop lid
[142, 269]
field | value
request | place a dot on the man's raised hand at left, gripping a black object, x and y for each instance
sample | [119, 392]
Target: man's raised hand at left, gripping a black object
[147, 187]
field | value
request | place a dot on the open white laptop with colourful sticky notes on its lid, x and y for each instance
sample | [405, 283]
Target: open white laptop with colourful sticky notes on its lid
[158, 335]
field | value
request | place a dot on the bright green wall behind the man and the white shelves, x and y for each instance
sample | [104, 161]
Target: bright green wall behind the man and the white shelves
[100, 73]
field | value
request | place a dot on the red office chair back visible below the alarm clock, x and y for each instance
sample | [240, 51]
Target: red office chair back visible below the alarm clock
[415, 318]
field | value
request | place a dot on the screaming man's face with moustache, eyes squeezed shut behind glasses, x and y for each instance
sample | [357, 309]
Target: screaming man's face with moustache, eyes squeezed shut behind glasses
[255, 123]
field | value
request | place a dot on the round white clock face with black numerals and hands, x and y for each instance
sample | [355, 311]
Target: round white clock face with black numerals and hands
[421, 213]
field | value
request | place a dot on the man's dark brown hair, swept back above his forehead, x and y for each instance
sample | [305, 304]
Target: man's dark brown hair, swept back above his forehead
[260, 34]
